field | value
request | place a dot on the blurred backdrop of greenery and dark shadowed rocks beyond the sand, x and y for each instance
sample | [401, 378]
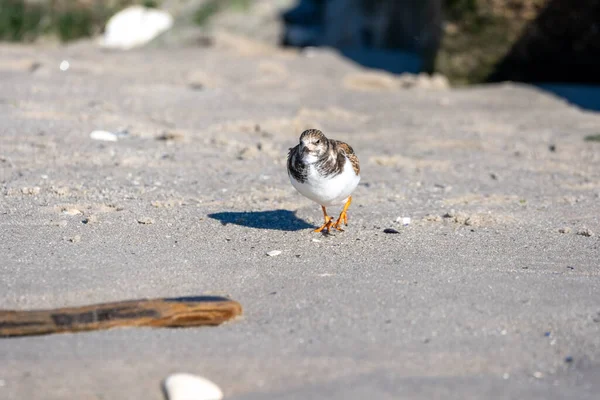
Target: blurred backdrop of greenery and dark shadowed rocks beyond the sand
[554, 44]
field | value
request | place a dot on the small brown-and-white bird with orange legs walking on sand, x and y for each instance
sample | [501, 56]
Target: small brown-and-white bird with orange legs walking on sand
[326, 171]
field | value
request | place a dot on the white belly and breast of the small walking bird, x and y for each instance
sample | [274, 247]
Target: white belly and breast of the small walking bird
[328, 191]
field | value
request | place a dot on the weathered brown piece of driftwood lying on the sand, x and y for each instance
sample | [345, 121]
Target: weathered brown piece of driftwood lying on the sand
[165, 312]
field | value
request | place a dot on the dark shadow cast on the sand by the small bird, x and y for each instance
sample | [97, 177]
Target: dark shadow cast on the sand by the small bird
[278, 220]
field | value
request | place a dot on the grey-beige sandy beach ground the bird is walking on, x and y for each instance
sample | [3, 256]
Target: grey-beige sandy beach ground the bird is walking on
[480, 296]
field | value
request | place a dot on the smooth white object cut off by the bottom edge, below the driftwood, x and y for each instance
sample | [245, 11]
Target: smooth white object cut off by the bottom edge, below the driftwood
[183, 386]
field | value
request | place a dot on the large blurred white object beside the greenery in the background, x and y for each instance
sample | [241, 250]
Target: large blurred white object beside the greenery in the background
[134, 27]
